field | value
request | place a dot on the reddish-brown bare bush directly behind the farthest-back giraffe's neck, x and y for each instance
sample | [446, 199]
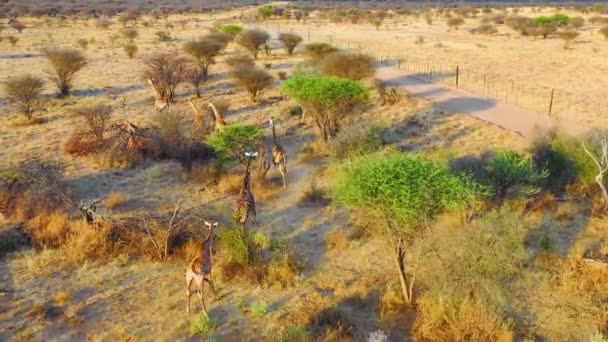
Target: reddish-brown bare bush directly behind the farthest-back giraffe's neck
[164, 71]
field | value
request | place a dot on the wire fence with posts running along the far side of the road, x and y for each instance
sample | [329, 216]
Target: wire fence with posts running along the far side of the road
[555, 102]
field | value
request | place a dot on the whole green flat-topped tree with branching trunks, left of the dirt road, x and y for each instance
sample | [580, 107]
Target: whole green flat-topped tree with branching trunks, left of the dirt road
[328, 100]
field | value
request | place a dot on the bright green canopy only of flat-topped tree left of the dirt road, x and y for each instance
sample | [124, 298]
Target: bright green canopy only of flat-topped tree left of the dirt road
[324, 90]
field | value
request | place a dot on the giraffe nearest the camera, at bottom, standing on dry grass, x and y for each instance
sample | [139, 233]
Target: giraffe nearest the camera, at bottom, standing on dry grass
[199, 269]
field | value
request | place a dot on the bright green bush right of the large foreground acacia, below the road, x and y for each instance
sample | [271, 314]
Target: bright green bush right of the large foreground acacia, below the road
[509, 170]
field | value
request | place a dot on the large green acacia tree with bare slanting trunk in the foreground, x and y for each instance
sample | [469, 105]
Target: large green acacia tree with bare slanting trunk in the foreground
[406, 193]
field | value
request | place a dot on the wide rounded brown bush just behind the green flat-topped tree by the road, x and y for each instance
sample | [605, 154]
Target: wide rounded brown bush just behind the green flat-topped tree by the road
[348, 65]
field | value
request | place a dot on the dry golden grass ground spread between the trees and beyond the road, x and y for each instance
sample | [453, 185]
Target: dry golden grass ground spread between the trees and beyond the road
[346, 286]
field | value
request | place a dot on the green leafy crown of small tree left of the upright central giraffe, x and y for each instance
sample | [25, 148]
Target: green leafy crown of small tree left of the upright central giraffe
[234, 140]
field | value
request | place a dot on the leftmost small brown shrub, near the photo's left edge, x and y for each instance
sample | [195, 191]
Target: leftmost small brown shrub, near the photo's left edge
[24, 92]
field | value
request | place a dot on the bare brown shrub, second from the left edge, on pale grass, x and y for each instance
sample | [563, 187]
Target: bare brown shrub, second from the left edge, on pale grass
[66, 63]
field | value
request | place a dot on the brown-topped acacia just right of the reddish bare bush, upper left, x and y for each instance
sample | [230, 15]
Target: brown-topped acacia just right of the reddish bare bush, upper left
[203, 51]
